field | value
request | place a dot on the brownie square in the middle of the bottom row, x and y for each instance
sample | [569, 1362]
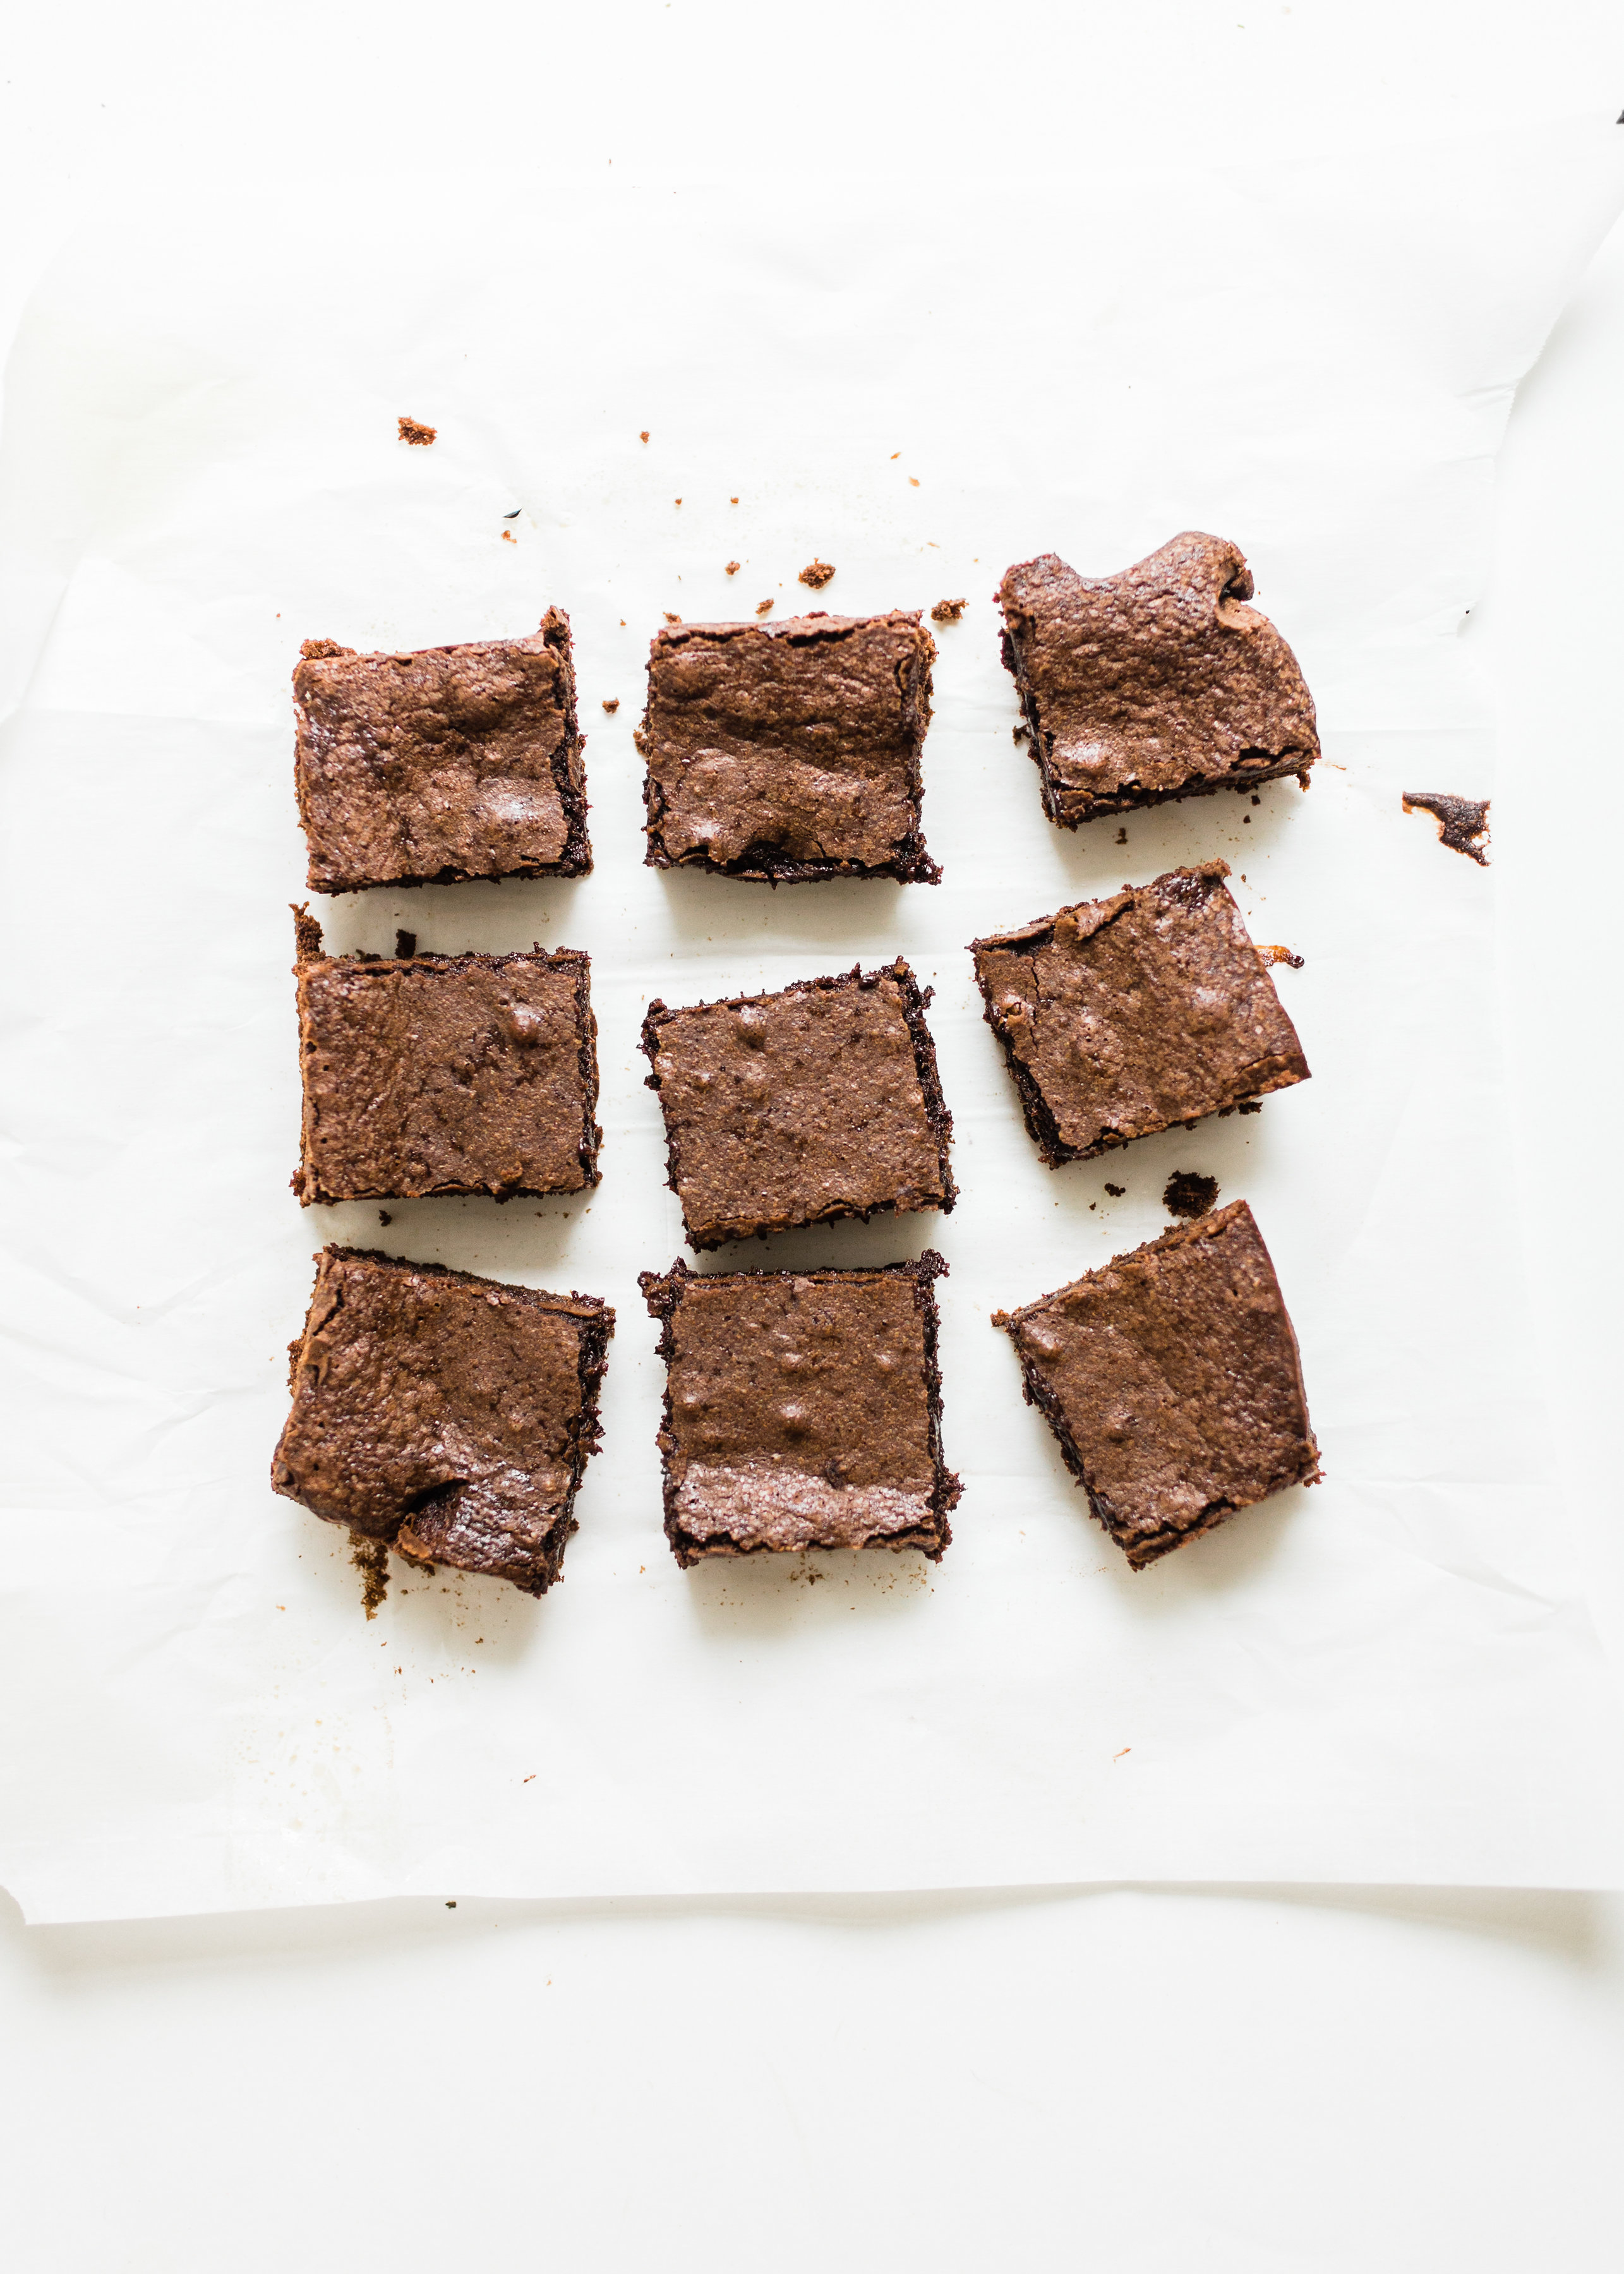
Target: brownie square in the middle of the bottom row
[804, 1411]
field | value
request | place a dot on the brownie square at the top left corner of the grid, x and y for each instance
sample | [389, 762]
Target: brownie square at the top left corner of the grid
[440, 765]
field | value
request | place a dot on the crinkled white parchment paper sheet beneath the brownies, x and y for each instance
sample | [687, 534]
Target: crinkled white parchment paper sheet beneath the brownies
[1384, 1679]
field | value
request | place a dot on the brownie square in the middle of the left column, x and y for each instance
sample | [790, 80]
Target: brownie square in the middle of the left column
[445, 1074]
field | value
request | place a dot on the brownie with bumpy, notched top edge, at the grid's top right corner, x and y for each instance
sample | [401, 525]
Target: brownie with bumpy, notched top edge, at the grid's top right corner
[1157, 683]
